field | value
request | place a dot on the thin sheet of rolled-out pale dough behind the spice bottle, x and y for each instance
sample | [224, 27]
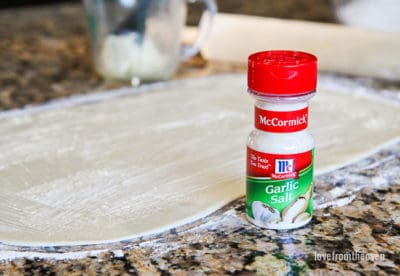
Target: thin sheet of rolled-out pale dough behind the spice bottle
[134, 165]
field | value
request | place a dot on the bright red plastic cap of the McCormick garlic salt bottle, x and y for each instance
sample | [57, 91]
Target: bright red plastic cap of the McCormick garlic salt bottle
[281, 72]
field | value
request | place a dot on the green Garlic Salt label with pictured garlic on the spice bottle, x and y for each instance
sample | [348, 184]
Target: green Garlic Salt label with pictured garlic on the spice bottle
[280, 203]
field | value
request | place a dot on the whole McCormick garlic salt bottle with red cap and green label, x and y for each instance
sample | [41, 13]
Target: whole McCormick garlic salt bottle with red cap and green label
[280, 150]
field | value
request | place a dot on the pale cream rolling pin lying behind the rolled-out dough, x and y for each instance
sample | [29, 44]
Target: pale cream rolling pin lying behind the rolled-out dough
[339, 48]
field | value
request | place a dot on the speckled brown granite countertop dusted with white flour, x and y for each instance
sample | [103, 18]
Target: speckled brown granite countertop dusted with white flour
[44, 55]
